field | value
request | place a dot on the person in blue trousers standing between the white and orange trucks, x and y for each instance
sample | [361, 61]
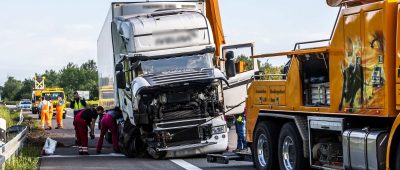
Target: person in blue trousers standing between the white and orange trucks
[240, 124]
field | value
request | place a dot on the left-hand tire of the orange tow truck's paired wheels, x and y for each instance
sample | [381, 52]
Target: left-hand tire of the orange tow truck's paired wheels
[264, 146]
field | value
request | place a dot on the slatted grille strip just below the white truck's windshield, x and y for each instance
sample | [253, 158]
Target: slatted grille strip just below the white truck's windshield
[179, 77]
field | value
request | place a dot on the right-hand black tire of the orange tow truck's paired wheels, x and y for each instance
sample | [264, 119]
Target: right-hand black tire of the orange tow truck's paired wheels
[290, 134]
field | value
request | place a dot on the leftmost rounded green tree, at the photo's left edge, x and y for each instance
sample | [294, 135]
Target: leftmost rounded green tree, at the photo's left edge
[11, 88]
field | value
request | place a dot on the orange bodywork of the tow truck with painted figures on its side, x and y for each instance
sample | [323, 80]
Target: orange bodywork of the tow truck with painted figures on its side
[363, 59]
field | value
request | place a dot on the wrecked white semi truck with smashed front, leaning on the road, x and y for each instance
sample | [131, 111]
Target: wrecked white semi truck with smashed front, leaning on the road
[158, 57]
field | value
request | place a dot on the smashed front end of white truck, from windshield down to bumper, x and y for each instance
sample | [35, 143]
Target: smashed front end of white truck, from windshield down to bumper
[177, 106]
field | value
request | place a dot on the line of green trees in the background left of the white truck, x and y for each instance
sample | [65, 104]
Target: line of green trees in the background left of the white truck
[72, 77]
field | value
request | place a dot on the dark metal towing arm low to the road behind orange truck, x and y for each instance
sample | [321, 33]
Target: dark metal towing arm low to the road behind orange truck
[225, 157]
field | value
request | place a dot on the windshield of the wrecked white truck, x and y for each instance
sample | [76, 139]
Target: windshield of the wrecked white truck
[177, 64]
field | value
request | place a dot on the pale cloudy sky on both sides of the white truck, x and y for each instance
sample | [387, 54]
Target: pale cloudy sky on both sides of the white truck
[47, 34]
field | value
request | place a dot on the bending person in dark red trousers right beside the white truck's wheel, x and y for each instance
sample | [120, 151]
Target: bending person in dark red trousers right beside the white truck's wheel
[108, 122]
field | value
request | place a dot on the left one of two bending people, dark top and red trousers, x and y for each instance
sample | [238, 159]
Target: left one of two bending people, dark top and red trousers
[82, 120]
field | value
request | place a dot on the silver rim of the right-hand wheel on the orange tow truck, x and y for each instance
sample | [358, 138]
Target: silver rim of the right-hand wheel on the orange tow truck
[288, 153]
